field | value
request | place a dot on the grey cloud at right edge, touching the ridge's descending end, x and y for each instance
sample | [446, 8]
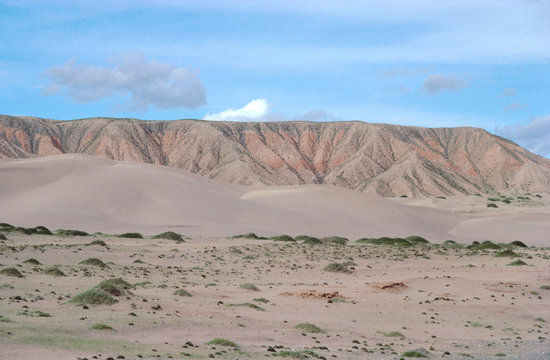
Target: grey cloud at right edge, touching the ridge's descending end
[535, 135]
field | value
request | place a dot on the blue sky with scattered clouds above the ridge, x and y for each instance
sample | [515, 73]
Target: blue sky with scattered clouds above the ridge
[426, 63]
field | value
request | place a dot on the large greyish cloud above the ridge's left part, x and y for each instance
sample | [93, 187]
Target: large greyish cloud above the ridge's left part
[149, 83]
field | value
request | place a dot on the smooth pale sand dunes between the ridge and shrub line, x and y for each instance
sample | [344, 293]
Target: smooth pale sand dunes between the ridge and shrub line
[84, 192]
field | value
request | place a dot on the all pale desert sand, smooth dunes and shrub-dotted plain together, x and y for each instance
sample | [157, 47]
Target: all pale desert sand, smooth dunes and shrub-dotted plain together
[261, 297]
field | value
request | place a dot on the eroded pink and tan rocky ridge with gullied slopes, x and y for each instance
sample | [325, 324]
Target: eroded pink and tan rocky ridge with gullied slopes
[388, 159]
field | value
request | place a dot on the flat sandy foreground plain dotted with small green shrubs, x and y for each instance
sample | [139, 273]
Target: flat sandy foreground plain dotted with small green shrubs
[452, 303]
